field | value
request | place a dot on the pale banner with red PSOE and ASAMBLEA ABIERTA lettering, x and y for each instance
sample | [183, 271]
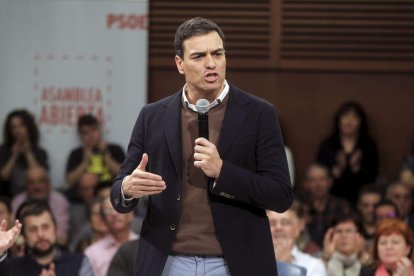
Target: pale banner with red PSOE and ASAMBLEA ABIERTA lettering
[59, 59]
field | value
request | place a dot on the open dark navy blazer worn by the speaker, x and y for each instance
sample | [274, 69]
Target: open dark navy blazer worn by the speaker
[254, 177]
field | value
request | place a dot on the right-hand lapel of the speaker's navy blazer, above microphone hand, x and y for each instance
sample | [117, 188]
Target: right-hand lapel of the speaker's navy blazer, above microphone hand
[234, 117]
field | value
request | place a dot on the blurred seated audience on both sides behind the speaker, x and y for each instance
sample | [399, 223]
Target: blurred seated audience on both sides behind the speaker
[346, 219]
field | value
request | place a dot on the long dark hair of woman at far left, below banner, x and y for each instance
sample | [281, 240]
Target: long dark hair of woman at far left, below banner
[27, 120]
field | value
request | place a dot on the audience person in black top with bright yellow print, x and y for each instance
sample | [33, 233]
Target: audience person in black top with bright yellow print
[95, 156]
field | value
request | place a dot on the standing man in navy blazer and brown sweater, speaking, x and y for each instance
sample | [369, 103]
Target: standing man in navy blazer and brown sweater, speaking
[207, 197]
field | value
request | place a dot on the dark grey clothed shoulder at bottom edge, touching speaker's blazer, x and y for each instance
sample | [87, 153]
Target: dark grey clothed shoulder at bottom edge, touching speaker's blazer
[123, 262]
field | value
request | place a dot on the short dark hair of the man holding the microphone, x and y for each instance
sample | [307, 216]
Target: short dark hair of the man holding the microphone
[194, 27]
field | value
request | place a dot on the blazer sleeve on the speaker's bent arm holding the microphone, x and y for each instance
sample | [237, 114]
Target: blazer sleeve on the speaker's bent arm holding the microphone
[265, 183]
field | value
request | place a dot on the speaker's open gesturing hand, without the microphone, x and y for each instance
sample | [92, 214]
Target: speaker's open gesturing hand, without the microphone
[141, 183]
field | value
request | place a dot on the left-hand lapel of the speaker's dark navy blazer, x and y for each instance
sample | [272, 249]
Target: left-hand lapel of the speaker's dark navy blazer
[172, 127]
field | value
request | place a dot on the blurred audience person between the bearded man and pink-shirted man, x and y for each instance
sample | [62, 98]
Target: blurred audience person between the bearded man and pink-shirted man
[93, 230]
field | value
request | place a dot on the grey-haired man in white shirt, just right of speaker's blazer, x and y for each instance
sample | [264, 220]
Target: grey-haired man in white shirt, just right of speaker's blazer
[286, 228]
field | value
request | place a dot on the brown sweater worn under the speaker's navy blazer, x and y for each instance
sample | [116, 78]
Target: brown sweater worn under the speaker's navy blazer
[195, 233]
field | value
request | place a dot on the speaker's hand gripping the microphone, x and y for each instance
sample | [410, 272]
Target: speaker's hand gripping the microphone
[207, 157]
